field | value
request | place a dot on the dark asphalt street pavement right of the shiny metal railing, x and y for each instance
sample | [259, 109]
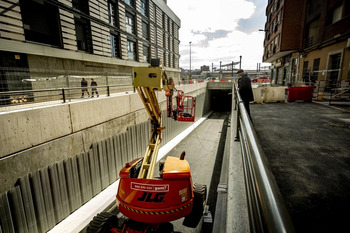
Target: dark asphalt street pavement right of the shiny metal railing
[307, 146]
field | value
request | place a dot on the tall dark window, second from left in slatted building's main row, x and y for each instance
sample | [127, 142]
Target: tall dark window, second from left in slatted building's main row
[83, 34]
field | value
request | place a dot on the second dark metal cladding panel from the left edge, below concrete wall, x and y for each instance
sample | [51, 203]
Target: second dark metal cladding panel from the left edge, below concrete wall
[17, 209]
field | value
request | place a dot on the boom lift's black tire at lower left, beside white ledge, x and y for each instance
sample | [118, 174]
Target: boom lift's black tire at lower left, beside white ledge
[102, 223]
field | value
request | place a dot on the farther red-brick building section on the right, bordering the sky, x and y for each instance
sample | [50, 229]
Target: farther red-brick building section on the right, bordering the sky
[282, 38]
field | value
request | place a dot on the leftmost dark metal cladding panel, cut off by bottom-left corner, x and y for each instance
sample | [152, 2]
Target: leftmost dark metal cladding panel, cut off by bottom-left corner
[5, 214]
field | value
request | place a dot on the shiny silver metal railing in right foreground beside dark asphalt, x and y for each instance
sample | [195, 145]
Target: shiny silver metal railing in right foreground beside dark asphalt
[266, 208]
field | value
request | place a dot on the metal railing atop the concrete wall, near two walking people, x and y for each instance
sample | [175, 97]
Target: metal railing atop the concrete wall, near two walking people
[62, 94]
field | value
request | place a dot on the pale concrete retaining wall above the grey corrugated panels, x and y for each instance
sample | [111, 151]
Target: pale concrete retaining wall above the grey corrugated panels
[35, 138]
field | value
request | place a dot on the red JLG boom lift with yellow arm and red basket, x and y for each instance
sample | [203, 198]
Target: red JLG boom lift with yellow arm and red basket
[149, 200]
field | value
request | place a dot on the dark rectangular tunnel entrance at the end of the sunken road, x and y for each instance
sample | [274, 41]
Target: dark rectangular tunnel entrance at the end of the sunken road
[221, 100]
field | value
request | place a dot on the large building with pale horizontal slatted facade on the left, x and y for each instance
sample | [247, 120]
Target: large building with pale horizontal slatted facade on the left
[56, 42]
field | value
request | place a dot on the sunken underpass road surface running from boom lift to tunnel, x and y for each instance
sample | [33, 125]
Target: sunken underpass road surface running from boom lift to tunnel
[204, 151]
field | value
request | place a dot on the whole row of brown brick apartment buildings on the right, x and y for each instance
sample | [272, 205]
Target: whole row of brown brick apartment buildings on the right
[308, 41]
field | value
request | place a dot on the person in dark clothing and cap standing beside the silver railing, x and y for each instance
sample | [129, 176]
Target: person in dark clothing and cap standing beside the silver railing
[245, 89]
